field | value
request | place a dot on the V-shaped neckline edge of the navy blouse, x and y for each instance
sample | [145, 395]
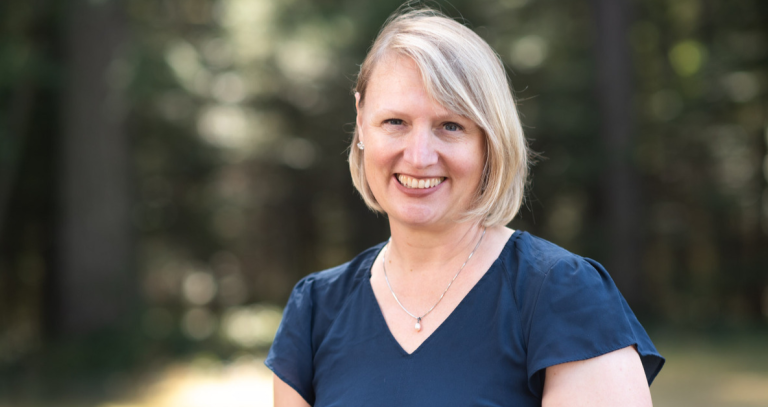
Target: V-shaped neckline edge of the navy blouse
[380, 314]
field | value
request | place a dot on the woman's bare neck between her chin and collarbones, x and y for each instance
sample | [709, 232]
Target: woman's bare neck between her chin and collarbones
[417, 251]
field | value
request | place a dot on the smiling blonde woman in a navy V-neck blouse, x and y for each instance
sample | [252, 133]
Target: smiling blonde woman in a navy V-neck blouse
[455, 309]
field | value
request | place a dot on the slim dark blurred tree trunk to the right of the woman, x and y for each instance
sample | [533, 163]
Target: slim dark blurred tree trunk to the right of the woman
[620, 181]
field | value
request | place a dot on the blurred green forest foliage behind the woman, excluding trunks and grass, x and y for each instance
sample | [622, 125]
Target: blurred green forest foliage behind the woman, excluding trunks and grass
[240, 113]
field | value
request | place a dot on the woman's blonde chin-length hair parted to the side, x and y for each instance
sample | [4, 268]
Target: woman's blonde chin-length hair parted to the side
[463, 74]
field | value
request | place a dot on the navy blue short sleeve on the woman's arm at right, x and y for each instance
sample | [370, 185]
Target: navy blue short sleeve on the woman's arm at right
[580, 314]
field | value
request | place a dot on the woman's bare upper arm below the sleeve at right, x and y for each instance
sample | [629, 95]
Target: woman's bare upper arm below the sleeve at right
[611, 380]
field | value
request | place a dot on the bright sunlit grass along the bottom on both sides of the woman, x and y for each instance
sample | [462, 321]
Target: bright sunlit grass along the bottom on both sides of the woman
[701, 371]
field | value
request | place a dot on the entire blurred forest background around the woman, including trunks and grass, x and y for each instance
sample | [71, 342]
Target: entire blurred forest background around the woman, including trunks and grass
[170, 168]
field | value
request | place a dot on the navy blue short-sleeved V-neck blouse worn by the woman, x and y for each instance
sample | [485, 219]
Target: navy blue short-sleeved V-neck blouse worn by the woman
[537, 306]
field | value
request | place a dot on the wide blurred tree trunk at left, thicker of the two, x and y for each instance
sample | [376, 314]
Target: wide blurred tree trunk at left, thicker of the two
[92, 284]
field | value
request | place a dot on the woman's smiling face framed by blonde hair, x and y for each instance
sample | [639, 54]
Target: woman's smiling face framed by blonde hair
[423, 162]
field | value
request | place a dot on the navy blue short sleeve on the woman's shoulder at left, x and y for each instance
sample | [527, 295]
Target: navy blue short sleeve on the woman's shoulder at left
[290, 356]
